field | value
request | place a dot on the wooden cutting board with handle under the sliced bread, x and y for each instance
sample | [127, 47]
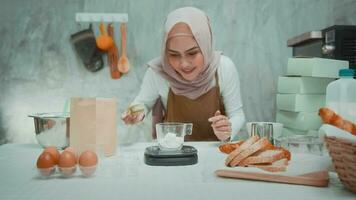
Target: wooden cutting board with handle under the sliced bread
[318, 179]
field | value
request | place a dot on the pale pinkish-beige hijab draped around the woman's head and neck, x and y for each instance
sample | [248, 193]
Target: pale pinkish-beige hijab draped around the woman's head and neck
[198, 22]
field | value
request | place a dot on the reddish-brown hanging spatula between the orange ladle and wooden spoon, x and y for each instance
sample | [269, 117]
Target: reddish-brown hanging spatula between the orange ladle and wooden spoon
[113, 56]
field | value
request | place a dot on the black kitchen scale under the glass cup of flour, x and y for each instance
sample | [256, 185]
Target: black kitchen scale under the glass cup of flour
[187, 155]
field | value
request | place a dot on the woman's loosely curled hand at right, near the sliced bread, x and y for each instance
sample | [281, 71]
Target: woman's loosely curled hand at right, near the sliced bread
[221, 126]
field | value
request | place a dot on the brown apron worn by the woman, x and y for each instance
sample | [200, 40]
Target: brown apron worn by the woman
[197, 111]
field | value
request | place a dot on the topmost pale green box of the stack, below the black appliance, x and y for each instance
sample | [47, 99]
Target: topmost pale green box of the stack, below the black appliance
[316, 67]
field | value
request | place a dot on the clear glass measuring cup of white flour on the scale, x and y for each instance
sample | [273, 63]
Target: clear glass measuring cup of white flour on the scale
[170, 135]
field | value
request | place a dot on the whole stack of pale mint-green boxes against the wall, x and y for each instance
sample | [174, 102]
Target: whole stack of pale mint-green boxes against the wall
[302, 92]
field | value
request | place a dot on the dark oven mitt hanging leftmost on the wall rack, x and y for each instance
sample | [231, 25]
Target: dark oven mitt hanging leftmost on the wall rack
[85, 46]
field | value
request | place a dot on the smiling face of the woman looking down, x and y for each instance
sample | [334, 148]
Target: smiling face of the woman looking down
[183, 52]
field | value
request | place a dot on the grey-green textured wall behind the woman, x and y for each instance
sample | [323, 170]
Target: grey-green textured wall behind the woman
[39, 69]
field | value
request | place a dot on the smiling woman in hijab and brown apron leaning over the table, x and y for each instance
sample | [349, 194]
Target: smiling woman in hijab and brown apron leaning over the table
[190, 82]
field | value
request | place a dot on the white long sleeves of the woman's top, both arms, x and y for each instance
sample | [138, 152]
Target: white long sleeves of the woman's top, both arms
[154, 86]
